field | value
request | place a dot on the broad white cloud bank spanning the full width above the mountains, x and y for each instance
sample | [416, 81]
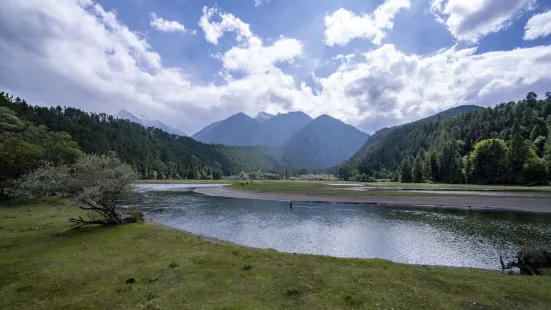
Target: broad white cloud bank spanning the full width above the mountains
[75, 53]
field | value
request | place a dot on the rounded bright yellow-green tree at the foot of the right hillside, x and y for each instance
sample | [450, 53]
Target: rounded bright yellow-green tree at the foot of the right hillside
[489, 161]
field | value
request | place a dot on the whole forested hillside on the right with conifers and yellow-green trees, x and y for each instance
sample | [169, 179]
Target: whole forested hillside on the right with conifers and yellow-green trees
[507, 144]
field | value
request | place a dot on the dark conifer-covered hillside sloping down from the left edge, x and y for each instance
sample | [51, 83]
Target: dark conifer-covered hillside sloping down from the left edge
[151, 151]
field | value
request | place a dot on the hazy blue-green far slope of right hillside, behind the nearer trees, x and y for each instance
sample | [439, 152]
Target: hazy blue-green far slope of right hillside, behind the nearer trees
[386, 148]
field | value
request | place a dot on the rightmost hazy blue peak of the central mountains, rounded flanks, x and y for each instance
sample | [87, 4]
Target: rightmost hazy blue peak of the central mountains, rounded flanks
[323, 143]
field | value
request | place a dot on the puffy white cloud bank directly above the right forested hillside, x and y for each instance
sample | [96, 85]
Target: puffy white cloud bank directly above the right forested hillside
[390, 87]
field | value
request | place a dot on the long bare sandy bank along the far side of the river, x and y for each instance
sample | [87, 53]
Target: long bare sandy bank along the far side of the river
[539, 205]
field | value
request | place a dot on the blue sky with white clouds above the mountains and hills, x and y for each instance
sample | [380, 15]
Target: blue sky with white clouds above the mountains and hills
[188, 63]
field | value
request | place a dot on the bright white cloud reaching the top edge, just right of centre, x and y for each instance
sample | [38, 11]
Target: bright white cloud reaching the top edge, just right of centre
[343, 26]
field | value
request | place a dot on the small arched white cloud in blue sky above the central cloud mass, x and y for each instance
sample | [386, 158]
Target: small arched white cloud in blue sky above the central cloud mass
[229, 23]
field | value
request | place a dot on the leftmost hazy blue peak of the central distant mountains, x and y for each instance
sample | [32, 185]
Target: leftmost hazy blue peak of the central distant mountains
[235, 130]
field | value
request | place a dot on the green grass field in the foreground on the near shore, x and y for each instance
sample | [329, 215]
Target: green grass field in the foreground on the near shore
[87, 269]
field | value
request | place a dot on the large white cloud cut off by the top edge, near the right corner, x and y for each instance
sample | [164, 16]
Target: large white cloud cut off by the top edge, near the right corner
[469, 21]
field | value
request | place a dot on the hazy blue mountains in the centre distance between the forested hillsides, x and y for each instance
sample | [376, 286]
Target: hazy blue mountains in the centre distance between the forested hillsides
[298, 141]
